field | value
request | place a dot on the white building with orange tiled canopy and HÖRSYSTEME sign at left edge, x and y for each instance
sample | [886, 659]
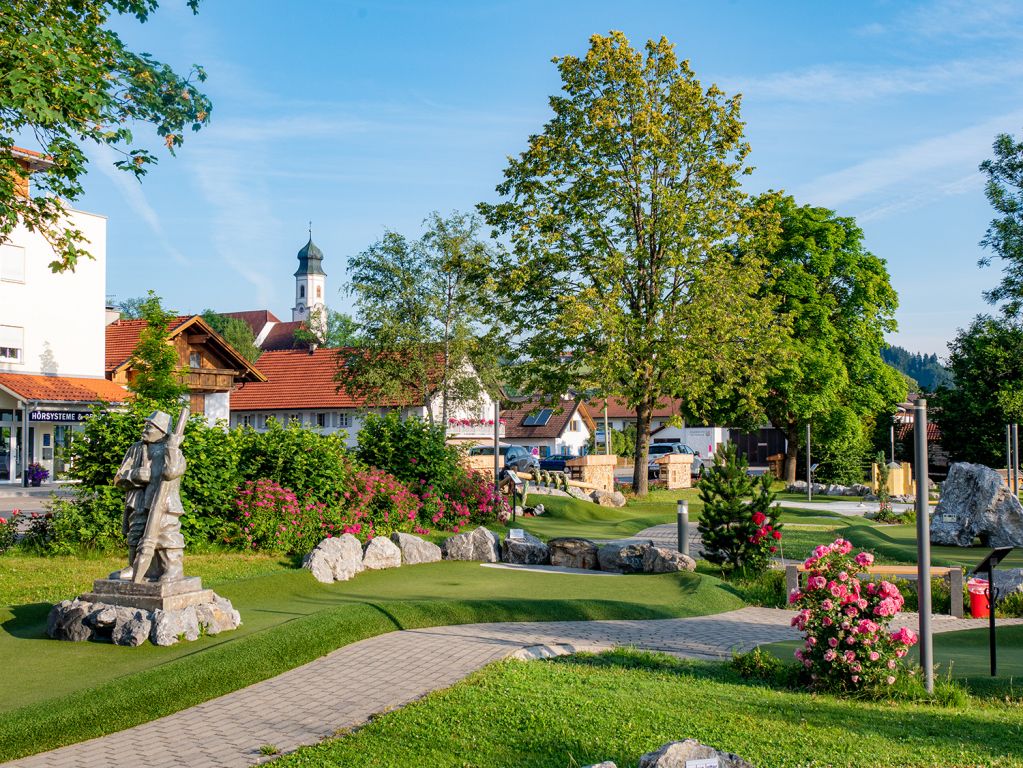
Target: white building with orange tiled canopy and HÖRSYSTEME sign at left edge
[52, 342]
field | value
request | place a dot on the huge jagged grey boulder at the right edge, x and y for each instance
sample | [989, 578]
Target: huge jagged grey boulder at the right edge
[976, 503]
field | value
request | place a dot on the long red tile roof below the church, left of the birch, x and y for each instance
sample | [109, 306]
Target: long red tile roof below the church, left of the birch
[296, 379]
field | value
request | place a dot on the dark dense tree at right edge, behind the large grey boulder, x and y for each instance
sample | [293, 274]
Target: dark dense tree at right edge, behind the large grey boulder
[987, 364]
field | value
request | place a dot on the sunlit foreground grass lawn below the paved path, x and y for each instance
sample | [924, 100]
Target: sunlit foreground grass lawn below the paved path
[584, 710]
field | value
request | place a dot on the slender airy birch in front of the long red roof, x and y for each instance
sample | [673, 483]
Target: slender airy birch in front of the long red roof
[422, 318]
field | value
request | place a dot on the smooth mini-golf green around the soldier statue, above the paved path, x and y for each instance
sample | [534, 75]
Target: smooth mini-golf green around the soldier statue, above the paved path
[290, 619]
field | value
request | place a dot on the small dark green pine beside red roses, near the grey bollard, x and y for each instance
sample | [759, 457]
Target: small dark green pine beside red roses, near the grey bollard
[739, 525]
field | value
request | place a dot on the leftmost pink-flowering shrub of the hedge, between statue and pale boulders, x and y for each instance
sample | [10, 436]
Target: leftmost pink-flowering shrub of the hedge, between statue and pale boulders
[271, 518]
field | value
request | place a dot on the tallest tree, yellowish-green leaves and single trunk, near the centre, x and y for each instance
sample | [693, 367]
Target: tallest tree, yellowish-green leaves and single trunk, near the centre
[621, 216]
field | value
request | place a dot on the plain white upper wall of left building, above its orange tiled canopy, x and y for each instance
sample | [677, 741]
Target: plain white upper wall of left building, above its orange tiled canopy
[63, 315]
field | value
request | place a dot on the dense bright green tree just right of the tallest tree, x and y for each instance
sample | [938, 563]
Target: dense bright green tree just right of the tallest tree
[840, 303]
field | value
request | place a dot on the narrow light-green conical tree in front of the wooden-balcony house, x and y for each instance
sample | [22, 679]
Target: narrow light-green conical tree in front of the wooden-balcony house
[155, 363]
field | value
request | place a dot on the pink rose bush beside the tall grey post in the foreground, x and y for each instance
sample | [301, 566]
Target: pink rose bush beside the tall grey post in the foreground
[848, 643]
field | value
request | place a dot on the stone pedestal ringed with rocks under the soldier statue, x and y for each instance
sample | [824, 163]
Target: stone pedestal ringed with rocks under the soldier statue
[129, 614]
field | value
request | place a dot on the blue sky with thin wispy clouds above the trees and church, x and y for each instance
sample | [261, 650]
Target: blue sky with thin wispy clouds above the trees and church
[362, 117]
